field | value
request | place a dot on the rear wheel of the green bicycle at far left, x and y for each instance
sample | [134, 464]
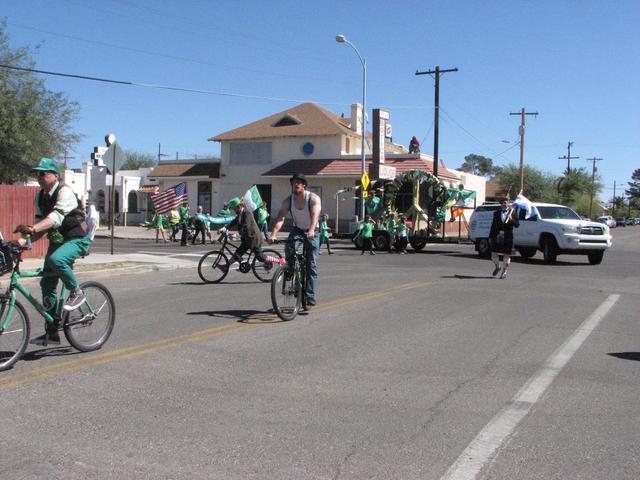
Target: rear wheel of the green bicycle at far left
[89, 326]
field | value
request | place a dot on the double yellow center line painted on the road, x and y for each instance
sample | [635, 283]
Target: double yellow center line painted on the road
[70, 366]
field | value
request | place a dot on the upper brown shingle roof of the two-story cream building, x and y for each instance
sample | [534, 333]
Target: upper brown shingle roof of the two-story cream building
[314, 121]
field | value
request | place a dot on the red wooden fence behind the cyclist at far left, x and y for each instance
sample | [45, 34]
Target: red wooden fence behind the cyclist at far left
[16, 207]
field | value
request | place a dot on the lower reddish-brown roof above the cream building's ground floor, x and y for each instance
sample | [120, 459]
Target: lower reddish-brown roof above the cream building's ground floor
[340, 167]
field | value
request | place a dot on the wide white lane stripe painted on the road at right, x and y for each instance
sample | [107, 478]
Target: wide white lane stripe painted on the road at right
[484, 447]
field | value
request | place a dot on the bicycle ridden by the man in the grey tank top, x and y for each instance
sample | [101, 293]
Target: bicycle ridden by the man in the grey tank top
[289, 284]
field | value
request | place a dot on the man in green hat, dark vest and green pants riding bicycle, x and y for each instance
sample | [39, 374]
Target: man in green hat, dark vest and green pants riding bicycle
[60, 216]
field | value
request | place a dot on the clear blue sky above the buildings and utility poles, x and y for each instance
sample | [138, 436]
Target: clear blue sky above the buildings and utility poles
[577, 63]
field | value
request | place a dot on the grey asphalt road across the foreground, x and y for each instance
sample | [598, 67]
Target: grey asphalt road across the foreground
[416, 366]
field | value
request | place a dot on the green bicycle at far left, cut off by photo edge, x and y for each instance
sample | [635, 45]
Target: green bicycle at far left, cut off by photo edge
[86, 328]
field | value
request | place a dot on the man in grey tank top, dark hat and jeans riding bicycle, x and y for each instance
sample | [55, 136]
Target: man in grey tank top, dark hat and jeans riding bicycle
[305, 208]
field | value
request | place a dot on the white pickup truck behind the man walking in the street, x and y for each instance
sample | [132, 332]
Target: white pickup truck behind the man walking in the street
[556, 230]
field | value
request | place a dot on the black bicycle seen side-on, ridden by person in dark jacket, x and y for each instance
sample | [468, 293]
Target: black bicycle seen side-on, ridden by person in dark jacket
[214, 265]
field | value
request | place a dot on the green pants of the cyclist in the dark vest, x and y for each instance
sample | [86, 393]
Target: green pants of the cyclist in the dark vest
[59, 260]
